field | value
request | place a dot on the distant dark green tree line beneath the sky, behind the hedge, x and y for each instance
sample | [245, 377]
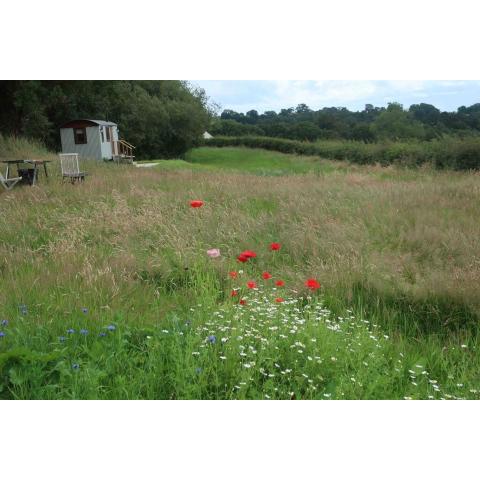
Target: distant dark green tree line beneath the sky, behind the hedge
[420, 122]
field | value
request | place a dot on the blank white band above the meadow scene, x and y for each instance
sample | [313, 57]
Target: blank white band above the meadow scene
[252, 39]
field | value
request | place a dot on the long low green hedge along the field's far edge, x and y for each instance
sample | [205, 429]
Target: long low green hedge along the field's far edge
[451, 153]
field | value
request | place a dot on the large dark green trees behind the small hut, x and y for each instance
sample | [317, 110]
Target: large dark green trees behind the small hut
[161, 118]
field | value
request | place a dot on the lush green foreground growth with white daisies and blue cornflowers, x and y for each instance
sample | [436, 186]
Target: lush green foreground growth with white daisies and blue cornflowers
[296, 349]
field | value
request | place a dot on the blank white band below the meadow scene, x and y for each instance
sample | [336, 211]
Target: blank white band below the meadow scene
[239, 440]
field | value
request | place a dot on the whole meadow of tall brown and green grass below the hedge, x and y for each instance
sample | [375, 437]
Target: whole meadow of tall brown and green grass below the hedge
[107, 291]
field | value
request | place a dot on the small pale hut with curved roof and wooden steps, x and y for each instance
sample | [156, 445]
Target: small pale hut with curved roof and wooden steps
[95, 139]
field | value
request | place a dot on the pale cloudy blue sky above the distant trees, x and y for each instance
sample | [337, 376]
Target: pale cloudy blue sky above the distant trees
[262, 95]
